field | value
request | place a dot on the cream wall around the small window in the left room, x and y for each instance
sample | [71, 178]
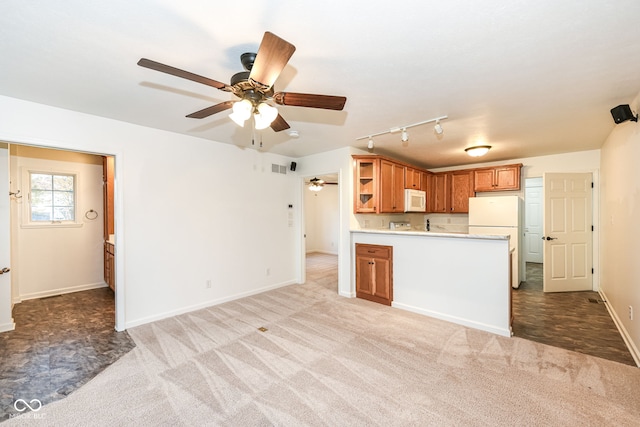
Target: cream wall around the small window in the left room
[53, 260]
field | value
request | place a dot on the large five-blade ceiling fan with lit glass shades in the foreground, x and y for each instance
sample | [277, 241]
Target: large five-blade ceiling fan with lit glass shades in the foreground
[254, 86]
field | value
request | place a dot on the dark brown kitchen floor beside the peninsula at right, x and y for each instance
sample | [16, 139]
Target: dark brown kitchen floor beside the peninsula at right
[567, 320]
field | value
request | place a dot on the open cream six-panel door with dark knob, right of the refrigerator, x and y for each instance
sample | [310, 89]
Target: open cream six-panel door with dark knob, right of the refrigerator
[567, 232]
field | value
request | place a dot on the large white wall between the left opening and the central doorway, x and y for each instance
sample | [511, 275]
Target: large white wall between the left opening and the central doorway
[188, 210]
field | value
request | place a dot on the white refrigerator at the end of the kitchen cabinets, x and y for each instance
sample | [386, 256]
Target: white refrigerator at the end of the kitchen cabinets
[499, 215]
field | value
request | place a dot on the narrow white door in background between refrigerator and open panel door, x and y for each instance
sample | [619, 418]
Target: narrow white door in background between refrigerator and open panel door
[533, 220]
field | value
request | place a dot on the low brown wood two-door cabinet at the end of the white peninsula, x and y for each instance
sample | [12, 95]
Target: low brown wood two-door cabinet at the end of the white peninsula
[374, 273]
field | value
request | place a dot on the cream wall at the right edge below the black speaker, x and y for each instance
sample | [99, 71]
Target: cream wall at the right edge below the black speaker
[620, 182]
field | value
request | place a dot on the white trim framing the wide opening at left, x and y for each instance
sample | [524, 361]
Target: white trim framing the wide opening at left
[119, 321]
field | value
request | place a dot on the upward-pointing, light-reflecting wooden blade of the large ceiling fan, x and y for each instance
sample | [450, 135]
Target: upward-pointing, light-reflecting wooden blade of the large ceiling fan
[273, 55]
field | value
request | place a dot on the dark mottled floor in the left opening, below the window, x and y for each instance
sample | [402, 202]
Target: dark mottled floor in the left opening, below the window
[59, 344]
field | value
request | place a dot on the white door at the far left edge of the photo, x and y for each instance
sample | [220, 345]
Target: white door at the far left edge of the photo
[6, 321]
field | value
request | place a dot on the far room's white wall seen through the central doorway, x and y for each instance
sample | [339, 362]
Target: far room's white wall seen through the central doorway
[322, 219]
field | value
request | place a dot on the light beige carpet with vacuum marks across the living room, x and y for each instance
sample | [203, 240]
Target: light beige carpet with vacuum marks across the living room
[325, 360]
